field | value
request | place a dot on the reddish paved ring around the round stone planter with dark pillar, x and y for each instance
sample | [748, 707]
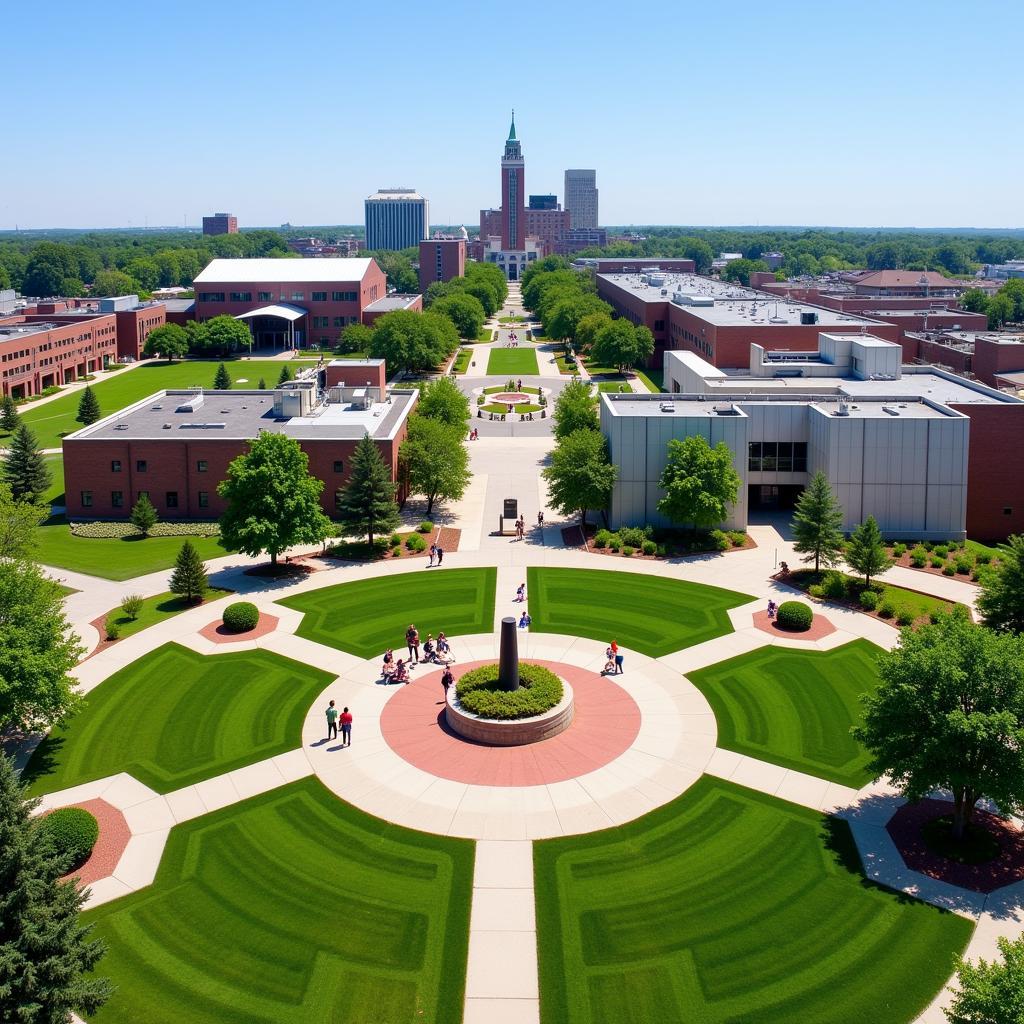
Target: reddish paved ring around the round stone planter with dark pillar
[606, 724]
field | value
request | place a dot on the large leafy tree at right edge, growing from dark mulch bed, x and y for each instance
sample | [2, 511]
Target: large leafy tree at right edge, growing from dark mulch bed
[950, 715]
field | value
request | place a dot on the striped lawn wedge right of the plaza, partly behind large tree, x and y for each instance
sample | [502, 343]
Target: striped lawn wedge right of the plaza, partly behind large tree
[795, 708]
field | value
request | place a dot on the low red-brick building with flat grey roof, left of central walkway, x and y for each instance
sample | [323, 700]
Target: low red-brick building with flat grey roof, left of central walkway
[177, 446]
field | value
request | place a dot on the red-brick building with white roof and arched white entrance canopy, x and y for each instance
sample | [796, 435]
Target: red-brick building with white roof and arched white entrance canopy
[290, 303]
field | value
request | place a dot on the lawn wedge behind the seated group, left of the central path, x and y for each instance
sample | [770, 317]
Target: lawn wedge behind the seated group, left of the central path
[368, 617]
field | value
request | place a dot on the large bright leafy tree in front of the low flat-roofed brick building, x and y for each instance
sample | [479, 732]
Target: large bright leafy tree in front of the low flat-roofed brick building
[273, 500]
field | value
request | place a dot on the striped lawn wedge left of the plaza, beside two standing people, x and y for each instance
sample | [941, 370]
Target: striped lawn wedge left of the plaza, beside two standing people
[175, 718]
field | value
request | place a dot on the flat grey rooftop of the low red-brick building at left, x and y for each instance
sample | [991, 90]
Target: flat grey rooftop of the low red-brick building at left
[241, 415]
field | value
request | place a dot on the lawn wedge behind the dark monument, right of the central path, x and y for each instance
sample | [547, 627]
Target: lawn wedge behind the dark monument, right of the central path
[650, 614]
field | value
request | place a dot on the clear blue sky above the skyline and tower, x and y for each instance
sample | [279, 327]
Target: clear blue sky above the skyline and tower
[897, 113]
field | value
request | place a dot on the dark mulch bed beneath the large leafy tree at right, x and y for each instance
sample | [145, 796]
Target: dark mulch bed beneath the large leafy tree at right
[906, 826]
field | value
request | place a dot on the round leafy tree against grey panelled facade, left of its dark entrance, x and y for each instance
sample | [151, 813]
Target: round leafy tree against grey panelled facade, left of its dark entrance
[700, 483]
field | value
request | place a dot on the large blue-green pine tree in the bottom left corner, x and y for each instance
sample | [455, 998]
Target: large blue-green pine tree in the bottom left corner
[47, 957]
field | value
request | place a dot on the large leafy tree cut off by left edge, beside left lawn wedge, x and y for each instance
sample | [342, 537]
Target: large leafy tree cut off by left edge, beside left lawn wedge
[37, 650]
